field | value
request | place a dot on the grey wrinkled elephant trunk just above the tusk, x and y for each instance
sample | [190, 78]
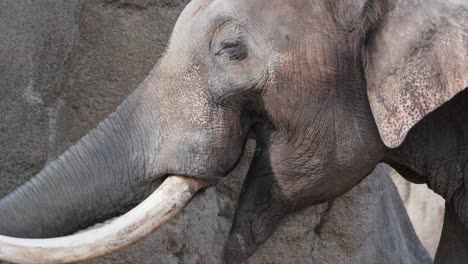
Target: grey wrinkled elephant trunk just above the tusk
[102, 176]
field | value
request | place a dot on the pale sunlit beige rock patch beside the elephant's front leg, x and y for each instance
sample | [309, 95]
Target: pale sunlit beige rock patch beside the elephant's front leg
[425, 210]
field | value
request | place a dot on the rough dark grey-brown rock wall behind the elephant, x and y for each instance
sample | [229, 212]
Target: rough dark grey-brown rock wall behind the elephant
[65, 65]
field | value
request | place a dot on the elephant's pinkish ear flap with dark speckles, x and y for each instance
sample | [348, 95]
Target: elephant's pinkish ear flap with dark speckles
[416, 59]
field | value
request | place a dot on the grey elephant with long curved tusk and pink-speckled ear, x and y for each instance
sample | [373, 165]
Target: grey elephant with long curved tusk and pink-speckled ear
[327, 89]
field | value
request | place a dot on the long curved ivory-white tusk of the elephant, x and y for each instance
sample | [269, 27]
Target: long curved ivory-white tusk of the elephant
[158, 209]
